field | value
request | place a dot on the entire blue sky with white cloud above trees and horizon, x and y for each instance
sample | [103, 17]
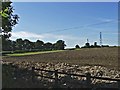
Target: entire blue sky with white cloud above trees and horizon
[73, 22]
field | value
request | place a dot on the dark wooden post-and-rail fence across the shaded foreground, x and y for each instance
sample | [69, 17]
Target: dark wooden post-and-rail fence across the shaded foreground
[87, 76]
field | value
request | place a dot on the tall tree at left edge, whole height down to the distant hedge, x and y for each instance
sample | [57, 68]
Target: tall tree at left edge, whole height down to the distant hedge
[9, 20]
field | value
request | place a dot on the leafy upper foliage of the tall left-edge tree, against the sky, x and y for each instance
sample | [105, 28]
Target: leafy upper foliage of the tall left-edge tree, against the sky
[8, 18]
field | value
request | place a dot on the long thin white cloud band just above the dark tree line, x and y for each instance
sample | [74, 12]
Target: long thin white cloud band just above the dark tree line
[30, 35]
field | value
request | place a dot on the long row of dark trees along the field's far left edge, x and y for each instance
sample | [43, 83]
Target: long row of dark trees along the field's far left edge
[27, 45]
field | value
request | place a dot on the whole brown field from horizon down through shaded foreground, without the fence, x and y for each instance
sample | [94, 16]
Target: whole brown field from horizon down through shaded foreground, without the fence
[17, 74]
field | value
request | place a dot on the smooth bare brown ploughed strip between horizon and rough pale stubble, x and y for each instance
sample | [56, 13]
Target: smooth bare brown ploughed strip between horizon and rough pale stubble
[87, 56]
